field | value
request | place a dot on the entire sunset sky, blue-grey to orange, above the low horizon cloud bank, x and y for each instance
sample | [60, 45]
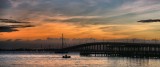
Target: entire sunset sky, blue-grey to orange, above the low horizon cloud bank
[99, 19]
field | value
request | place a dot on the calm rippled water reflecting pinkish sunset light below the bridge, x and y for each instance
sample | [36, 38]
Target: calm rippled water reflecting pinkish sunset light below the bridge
[17, 59]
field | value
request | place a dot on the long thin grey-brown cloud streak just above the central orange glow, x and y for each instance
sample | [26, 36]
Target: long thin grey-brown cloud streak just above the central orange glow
[81, 20]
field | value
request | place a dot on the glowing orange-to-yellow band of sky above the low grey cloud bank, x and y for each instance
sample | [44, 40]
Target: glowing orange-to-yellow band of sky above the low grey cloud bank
[54, 30]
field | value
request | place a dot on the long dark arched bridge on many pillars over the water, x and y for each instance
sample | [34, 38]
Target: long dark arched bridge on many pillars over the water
[117, 49]
